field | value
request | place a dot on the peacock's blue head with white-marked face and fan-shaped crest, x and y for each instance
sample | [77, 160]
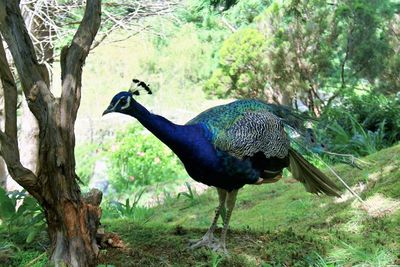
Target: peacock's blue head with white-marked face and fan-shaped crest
[123, 101]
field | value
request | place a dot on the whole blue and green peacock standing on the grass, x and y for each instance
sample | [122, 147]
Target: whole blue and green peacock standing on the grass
[229, 146]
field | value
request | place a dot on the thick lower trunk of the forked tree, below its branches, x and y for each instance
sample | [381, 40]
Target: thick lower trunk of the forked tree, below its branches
[72, 223]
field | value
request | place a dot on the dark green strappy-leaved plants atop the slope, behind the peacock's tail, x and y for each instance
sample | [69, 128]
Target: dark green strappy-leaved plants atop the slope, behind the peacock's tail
[361, 125]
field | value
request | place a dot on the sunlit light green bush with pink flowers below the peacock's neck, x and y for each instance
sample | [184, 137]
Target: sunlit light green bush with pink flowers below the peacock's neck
[138, 158]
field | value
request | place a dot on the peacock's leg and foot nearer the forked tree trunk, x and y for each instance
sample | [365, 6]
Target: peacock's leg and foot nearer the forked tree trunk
[208, 239]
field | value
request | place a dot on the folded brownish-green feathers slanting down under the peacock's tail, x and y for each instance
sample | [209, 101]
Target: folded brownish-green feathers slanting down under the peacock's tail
[313, 179]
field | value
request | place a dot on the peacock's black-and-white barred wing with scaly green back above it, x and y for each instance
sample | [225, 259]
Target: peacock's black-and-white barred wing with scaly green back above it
[244, 128]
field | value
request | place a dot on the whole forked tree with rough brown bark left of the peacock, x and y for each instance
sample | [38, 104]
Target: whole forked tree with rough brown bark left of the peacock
[72, 221]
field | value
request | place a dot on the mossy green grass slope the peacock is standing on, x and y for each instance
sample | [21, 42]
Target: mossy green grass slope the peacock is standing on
[278, 224]
